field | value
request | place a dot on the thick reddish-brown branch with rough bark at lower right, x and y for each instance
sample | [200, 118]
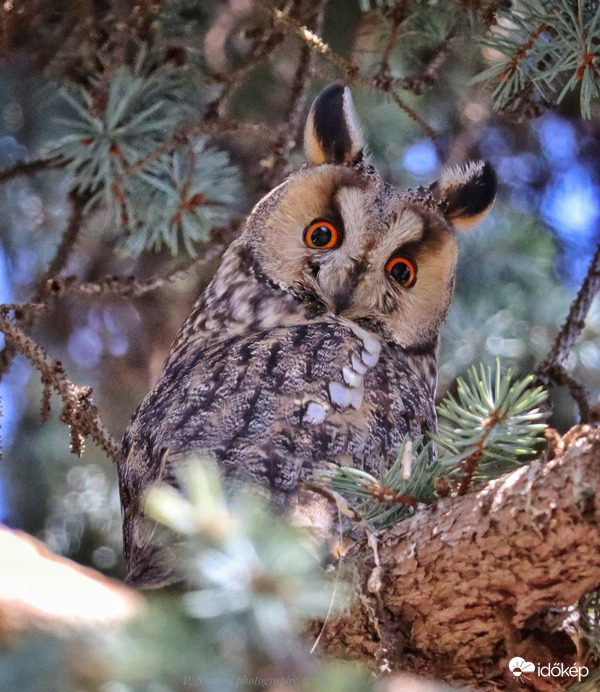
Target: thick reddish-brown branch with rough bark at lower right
[465, 586]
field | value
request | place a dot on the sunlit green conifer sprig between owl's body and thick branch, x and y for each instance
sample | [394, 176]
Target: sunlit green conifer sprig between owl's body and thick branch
[494, 423]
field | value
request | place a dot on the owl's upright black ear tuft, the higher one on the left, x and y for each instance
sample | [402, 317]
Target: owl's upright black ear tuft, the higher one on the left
[332, 133]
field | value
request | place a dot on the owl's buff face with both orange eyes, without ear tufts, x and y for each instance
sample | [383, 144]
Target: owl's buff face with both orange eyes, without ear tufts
[345, 243]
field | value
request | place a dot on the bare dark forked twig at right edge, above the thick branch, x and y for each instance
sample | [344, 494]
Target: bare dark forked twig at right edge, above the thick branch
[551, 369]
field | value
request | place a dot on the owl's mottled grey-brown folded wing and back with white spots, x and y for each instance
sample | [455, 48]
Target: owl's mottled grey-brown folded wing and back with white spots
[270, 406]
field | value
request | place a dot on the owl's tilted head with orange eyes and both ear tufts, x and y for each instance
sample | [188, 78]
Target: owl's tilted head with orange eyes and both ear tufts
[339, 238]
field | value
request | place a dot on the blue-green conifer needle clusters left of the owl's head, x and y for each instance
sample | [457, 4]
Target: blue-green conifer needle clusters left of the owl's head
[172, 198]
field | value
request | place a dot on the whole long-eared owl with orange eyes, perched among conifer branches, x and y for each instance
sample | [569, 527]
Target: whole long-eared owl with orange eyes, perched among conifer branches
[316, 339]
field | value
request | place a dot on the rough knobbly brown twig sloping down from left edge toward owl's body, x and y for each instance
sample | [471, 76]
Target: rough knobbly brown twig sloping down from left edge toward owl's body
[78, 409]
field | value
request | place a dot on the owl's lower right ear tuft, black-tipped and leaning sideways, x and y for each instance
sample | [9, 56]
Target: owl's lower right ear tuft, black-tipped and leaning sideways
[465, 194]
